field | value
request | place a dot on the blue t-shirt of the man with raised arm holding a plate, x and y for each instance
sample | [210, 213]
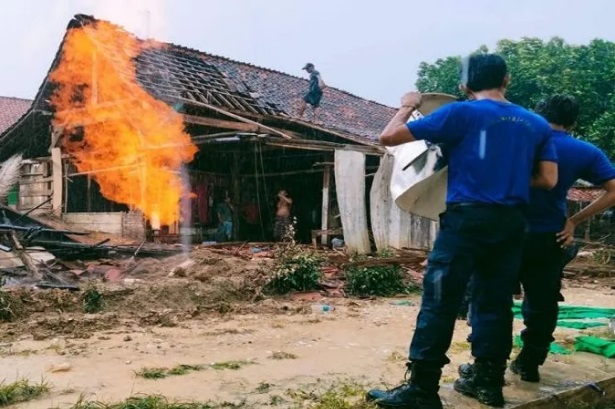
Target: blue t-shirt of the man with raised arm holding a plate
[492, 149]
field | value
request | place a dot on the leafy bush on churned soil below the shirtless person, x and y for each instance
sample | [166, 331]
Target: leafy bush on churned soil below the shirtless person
[295, 271]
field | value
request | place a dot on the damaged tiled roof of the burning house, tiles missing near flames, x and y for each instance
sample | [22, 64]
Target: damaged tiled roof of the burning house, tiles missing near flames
[180, 75]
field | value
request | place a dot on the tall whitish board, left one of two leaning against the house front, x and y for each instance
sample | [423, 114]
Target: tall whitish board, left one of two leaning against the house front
[350, 186]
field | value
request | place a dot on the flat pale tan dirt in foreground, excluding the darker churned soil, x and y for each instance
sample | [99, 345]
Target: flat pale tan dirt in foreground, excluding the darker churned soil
[359, 343]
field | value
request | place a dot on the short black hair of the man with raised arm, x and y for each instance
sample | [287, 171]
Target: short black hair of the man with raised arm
[481, 72]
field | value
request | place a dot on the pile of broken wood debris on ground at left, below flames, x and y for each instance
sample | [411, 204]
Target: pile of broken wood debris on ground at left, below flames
[33, 252]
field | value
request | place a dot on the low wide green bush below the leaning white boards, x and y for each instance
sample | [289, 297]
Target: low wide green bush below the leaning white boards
[382, 281]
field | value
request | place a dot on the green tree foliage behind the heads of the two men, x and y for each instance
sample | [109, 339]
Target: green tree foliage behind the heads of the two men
[540, 68]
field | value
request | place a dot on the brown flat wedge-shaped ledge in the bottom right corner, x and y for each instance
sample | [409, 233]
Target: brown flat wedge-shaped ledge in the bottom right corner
[588, 396]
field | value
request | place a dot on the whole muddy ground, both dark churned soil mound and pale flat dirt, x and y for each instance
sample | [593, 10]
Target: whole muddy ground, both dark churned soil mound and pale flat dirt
[268, 351]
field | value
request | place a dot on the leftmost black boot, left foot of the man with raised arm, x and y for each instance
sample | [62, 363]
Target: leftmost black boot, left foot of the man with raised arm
[421, 392]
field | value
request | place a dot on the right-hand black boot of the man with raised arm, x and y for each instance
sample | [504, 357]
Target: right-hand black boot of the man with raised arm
[485, 383]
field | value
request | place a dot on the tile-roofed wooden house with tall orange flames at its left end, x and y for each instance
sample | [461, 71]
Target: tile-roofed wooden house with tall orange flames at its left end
[251, 144]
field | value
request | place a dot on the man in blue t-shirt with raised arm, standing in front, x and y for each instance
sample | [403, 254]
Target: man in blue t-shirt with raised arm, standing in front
[495, 150]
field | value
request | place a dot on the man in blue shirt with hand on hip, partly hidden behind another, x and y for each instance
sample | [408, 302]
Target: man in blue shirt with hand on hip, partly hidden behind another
[543, 257]
